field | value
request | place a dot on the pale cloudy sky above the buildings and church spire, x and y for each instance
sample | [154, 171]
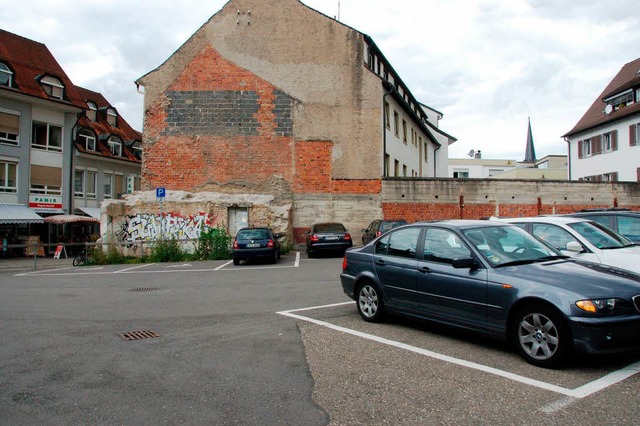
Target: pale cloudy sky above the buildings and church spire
[487, 65]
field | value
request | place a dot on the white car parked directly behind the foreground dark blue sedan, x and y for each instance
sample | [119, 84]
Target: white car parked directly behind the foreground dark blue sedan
[582, 239]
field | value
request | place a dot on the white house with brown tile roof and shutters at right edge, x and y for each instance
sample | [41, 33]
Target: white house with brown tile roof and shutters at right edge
[605, 143]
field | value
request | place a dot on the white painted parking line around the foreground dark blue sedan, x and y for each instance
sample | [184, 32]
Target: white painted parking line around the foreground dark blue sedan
[580, 392]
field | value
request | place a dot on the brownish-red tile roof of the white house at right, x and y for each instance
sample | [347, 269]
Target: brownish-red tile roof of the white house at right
[626, 78]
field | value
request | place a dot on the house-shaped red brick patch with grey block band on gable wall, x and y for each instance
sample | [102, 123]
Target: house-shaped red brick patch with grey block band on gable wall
[217, 123]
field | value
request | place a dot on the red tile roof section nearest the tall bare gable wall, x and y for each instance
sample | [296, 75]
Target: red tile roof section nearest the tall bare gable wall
[102, 128]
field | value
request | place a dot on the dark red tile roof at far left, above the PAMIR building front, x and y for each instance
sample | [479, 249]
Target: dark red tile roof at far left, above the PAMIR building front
[29, 61]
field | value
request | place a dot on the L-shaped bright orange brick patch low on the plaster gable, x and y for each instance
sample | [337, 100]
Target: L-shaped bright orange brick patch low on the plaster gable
[313, 172]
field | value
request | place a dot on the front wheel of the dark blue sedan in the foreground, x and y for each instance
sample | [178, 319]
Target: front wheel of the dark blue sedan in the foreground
[541, 335]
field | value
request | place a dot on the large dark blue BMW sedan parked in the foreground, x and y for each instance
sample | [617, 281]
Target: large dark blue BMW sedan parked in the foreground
[494, 278]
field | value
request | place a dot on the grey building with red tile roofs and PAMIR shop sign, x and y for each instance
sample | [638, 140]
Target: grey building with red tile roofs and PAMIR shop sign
[45, 130]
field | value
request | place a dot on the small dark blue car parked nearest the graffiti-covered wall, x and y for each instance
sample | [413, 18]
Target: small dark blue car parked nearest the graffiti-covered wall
[256, 243]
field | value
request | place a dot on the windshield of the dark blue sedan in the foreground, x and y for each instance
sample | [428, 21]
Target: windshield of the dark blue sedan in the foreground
[509, 245]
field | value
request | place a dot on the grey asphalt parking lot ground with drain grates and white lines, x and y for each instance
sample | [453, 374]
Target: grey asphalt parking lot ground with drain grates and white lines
[214, 343]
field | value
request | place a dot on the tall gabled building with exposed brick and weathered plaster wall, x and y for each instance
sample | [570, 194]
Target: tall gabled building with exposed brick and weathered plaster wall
[255, 102]
